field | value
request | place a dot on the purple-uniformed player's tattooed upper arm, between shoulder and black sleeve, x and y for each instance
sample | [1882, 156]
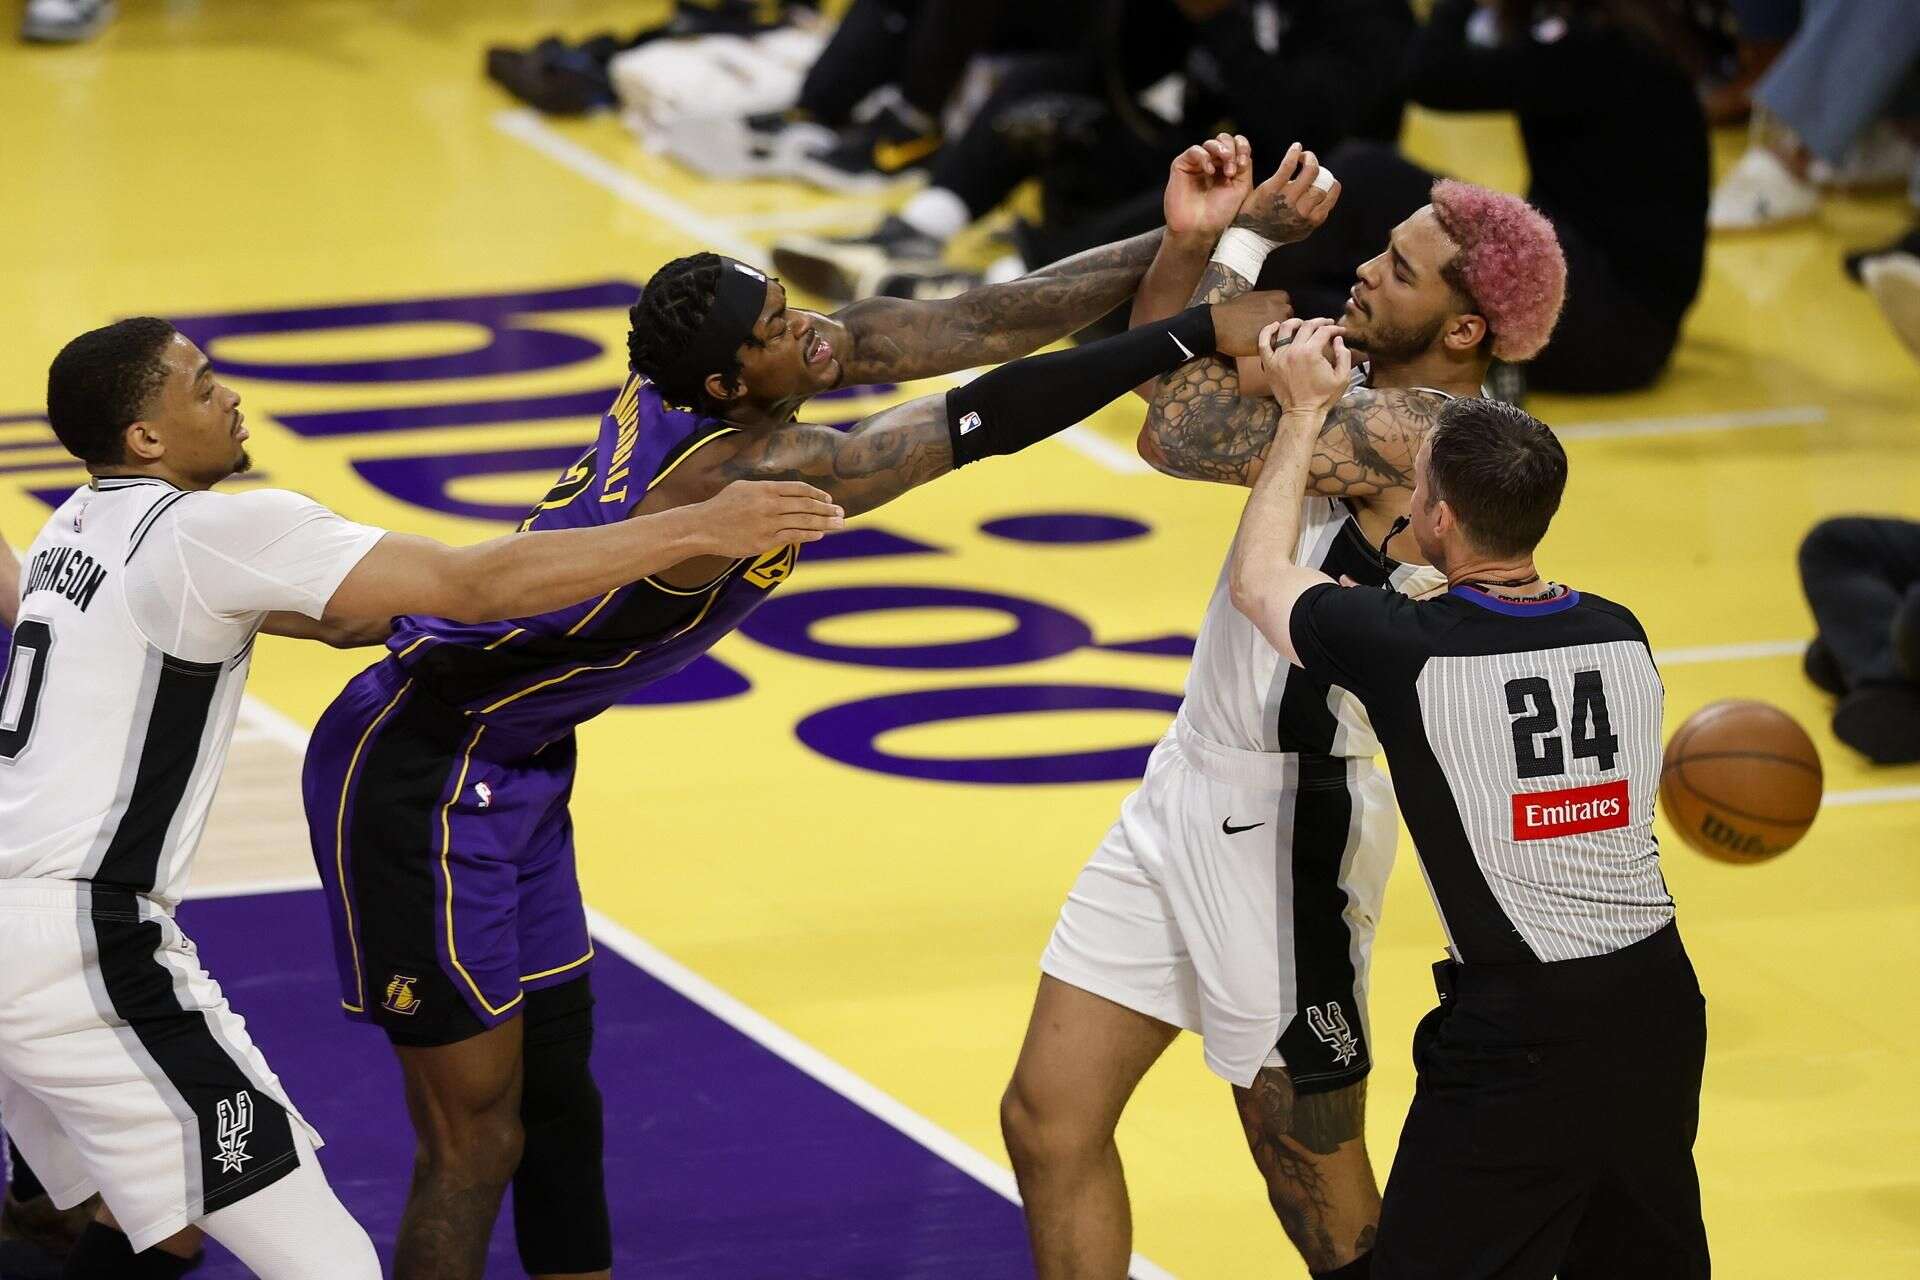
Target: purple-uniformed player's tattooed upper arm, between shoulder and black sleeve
[875, 463]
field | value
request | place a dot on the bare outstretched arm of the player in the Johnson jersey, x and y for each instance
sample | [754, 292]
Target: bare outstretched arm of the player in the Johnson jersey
[525, 575]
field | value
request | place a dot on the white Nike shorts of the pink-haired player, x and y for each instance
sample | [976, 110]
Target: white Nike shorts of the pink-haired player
[1237, 897]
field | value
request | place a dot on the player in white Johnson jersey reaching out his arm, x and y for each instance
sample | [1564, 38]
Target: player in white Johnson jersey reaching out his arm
[122, 1066]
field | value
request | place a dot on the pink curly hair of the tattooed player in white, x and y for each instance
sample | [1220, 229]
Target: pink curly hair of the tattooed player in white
[1510, 264]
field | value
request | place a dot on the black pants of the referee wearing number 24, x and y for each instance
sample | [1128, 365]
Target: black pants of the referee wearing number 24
[1552, 1127]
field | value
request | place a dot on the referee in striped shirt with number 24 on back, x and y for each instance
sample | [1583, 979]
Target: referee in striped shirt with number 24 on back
[1552, 1127]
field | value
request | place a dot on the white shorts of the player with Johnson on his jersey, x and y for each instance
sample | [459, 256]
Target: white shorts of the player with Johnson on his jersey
[122, 1066]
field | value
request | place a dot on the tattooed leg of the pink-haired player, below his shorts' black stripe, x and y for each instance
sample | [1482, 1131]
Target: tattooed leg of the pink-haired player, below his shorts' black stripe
[1289, 1135]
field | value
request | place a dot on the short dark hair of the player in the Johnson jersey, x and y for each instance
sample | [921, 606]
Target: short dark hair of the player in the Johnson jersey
[103, 383]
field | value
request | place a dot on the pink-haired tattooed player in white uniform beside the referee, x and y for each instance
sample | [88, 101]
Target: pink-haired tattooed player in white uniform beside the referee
[1239, 891]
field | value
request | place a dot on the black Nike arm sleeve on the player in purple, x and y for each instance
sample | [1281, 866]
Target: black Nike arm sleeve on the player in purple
[1026, 402]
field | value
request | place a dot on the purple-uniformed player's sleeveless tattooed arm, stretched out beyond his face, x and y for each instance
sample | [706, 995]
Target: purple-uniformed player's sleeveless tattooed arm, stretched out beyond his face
[894, 341]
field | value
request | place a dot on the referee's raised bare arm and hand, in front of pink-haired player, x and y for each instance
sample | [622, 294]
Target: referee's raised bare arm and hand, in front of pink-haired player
[1308, 366]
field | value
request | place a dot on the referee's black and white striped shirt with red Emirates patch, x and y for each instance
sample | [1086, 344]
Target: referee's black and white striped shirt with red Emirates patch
[1525, 744]
